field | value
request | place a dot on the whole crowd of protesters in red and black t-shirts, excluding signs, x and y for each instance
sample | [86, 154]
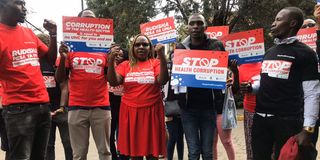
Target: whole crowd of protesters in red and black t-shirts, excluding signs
[119, 95]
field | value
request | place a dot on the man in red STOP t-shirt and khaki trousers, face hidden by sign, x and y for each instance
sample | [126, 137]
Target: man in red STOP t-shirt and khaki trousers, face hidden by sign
[88, 102]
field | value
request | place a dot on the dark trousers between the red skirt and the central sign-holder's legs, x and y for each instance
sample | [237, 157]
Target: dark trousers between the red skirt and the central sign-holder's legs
[175, 130]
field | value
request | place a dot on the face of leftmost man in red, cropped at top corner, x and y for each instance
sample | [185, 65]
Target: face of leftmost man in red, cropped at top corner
[14, 10]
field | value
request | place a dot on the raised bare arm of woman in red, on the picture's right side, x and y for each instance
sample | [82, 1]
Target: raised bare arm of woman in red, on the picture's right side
[164, 75]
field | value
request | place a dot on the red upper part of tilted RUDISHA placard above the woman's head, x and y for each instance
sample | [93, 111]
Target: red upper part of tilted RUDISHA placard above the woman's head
[157, 27]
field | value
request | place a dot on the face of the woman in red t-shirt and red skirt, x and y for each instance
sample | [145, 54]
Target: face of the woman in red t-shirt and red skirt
[141, 48]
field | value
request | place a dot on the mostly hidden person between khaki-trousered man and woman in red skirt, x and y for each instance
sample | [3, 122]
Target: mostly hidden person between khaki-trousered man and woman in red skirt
[115, 94]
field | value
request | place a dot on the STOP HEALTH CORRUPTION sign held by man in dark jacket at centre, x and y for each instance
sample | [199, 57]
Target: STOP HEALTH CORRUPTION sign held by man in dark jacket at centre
[199, 68]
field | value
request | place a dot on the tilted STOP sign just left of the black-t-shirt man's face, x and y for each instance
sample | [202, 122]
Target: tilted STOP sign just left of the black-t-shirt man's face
[246, 47]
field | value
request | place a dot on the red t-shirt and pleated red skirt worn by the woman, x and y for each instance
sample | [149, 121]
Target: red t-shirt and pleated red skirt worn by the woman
[141, 119]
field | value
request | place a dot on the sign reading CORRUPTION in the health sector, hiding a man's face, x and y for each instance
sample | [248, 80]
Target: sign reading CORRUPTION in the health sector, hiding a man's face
[87, 34]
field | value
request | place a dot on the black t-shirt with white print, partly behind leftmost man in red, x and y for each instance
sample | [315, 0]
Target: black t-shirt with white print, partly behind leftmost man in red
[52, 86]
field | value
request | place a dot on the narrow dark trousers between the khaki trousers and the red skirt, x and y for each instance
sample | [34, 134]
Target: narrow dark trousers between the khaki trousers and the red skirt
[115, 108]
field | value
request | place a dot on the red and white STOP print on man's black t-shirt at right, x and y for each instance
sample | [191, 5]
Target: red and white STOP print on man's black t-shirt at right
[276, 68]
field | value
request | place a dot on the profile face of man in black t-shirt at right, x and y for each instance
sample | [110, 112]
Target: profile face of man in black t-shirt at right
[282, 25]
